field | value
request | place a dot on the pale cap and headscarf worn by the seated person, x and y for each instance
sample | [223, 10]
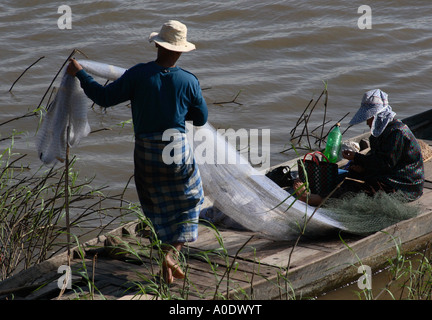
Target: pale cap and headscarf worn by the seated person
[374, 104]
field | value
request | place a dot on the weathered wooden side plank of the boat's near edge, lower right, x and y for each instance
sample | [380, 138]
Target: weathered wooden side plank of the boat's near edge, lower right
[341, 265]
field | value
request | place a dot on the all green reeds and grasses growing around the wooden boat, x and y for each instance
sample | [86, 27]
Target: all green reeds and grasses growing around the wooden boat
[47, 210]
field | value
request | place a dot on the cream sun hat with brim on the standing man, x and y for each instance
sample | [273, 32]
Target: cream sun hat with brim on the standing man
[172, 36]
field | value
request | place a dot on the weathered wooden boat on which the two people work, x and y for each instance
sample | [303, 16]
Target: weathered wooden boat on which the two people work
[226, 263]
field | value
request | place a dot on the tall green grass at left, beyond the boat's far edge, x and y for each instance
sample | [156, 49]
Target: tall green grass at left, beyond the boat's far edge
[32, 210]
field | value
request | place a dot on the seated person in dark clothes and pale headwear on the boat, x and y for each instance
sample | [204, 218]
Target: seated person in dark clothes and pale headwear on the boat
[394, 162]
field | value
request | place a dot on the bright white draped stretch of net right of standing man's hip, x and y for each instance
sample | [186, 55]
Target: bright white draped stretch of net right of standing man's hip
[249, 197]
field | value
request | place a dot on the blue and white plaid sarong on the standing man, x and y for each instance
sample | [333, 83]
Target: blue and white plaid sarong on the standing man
[170, 194]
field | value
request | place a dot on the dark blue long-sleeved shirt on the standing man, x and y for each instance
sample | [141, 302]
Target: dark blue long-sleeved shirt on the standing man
[161, 98]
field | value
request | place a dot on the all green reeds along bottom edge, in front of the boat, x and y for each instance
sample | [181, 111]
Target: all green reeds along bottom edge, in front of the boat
[410, 274]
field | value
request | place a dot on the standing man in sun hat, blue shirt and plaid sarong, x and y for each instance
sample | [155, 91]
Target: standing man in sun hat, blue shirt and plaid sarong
[163, 96]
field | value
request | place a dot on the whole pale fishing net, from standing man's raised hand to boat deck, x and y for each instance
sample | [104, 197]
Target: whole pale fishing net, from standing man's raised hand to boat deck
[233, 186]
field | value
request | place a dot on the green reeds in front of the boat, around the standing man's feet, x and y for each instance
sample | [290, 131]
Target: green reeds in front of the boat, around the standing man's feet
[146, 250]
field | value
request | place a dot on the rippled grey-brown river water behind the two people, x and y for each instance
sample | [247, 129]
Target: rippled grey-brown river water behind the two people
[276, 55]
